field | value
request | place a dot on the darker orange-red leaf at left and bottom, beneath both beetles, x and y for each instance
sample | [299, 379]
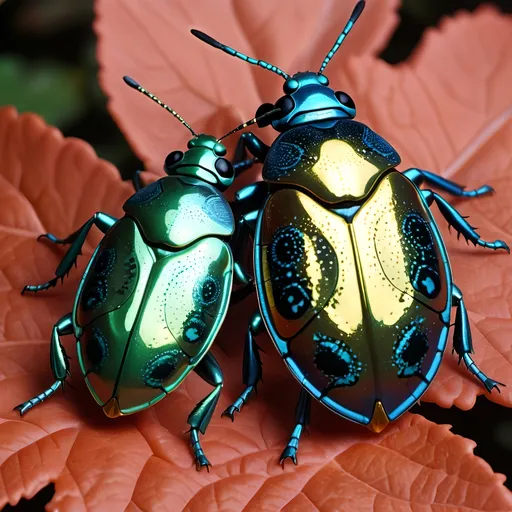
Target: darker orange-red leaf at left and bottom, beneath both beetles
[143, 462]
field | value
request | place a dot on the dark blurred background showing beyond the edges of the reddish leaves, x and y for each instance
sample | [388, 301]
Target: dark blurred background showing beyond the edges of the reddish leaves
[48, 66]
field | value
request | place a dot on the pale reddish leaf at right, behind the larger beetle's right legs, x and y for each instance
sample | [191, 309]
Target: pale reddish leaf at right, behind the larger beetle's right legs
[449, 110]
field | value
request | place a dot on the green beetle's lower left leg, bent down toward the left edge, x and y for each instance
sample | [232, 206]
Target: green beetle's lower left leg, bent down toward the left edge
[59, 362]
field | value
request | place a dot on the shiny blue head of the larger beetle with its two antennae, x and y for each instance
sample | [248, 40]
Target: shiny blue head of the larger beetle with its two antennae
[308, 98]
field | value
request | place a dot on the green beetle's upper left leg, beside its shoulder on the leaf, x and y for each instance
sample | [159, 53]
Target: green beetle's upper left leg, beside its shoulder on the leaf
[102, 220]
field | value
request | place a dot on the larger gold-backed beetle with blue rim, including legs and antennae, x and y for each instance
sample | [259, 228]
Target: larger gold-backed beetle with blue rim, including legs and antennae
[352, 275]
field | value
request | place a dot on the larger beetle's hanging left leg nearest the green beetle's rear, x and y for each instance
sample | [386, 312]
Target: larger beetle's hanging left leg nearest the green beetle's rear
[251, 373]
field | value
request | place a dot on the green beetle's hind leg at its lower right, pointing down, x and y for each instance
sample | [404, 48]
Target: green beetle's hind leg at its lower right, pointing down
[209, 370]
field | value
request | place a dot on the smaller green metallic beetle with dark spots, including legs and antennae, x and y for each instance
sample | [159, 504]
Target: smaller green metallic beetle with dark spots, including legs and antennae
[156, 290]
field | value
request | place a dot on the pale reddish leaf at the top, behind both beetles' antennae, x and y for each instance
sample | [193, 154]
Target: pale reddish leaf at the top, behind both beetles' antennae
[152, 42]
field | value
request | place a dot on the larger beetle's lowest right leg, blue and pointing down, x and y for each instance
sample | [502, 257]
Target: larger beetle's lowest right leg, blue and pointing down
[462, 342]
